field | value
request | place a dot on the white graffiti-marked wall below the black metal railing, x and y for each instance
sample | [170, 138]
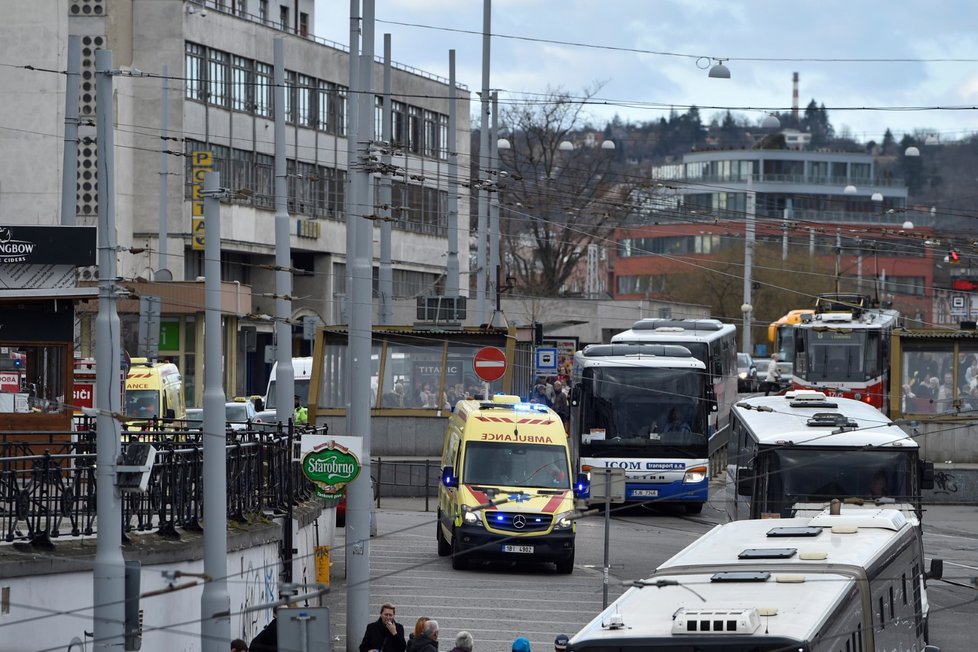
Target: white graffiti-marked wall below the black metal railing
[61, 583]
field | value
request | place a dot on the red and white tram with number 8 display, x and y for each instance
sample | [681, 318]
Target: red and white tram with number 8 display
[843, 349]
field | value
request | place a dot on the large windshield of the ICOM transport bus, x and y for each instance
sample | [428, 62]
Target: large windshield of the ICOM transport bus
[643, 410]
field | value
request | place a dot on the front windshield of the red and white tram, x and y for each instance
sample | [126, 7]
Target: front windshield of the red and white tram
[836, 356]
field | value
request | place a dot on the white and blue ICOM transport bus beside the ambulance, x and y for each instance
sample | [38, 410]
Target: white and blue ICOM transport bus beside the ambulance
[644, 408]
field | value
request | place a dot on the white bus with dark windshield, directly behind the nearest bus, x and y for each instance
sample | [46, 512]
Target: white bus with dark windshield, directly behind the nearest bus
[791, 454]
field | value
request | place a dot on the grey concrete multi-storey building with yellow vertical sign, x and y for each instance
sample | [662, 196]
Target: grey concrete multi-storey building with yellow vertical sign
[218, 86]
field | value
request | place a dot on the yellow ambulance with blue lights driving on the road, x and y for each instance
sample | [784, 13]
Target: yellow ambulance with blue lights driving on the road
[506, 490]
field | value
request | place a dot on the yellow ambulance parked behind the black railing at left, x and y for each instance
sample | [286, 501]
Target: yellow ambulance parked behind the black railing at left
[154, 391]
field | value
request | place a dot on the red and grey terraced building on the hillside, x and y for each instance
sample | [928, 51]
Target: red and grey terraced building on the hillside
[831, 205]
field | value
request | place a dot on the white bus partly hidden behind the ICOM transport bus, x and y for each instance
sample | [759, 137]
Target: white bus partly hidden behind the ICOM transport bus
[712, 342]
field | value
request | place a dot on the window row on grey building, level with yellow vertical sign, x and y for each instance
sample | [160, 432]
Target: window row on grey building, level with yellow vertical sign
[317, 190]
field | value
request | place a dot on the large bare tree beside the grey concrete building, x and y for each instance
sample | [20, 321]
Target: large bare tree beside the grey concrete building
[558, 193]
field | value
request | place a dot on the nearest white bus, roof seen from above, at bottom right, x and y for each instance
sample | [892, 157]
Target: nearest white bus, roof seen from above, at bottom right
[846, 582]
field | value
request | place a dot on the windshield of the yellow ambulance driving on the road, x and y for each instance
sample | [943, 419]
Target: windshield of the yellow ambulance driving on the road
[516, 465]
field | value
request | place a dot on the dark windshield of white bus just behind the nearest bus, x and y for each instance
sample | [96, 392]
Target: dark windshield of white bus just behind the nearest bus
[799, 475]
